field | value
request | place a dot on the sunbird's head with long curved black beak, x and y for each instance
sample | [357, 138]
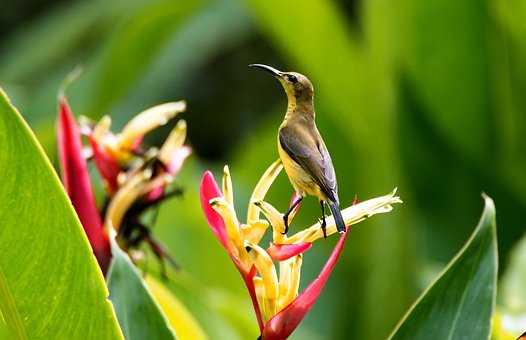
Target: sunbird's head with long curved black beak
[299, 89]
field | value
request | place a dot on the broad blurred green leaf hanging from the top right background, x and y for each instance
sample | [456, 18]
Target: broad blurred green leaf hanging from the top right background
[448, 69]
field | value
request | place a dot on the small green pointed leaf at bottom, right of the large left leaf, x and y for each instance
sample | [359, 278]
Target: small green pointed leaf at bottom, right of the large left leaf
[139, 315]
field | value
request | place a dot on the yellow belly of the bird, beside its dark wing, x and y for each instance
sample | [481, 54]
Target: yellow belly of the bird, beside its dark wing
[299, 178]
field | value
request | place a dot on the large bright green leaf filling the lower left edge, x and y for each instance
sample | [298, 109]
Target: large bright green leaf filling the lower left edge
[50, 283]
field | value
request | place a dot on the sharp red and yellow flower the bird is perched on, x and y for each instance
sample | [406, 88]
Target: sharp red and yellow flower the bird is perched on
[278, 306]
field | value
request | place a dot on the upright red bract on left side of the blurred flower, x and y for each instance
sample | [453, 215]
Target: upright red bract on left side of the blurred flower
[77, 183]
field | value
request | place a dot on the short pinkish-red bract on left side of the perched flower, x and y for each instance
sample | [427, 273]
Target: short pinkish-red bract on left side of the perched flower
[210, 190]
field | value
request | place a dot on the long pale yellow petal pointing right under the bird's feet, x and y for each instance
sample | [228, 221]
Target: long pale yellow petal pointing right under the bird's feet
[351, 215]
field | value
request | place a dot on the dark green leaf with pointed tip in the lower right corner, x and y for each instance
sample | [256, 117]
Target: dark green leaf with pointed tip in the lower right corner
[460, 303]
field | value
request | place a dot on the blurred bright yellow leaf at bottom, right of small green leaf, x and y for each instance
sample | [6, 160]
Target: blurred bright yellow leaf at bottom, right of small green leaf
[181, 320]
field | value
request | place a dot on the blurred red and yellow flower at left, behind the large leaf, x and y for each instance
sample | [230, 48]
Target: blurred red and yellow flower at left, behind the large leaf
[135, 178]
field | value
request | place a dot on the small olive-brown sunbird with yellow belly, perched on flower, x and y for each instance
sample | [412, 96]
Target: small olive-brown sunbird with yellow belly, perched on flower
[301, 148]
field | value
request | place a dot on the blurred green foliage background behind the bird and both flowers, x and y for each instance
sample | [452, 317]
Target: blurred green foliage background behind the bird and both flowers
[427, 96]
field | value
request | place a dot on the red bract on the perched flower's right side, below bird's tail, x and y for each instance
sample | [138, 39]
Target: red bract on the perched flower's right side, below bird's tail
[285, 322]
